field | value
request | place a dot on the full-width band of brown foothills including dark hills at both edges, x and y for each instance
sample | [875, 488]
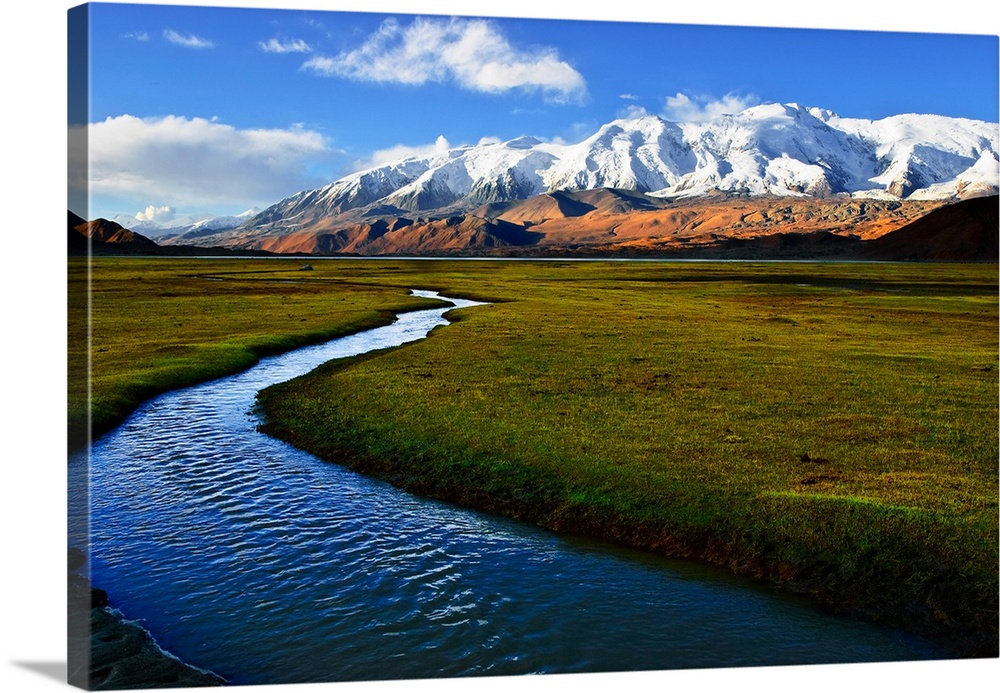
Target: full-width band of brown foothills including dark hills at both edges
[613, 222]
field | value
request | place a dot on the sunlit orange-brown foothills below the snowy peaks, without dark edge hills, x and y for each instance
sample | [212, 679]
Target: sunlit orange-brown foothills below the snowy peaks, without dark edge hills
[610, 220]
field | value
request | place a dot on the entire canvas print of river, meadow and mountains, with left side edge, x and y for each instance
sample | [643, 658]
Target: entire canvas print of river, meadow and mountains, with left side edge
[412, 346]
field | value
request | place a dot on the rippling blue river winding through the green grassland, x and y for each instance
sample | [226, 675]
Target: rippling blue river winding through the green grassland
[257, 561]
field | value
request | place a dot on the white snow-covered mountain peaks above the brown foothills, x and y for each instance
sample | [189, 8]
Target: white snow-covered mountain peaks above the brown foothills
[772, 149]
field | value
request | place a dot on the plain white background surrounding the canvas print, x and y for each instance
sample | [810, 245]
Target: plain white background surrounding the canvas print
[32, 403]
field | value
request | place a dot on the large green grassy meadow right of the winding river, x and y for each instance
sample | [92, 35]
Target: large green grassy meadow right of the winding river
[830, 427]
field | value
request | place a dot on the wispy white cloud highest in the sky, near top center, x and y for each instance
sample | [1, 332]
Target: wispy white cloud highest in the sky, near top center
[469, 52]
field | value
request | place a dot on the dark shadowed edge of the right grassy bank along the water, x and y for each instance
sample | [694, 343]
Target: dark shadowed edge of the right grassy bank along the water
[872, 595]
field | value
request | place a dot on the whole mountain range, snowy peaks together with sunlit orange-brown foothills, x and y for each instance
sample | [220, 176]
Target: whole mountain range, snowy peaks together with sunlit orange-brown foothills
[640, 184]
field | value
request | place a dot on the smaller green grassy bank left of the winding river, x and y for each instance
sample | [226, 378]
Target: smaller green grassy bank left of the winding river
[159, 324]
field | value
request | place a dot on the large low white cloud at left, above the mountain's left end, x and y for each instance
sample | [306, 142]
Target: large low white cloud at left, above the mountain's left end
[197, 161]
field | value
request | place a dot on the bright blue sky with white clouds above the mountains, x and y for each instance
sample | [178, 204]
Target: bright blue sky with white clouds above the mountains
[212, 110]
